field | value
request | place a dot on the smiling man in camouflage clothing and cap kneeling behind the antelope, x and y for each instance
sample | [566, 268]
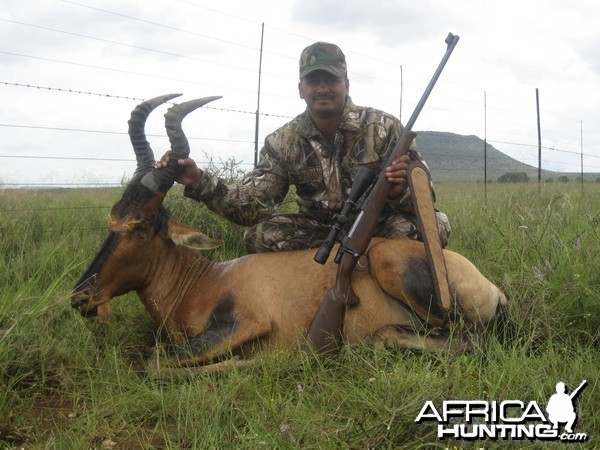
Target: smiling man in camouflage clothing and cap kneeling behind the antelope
[319, 152]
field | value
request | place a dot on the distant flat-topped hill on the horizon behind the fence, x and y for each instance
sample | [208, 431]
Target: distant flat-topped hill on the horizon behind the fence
[454, 157]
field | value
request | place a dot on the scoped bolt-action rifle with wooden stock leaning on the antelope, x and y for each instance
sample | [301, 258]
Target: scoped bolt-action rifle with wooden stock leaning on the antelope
[325, 333]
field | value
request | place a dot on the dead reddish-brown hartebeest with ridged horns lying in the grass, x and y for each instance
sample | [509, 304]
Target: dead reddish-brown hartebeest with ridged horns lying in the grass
[259, 301]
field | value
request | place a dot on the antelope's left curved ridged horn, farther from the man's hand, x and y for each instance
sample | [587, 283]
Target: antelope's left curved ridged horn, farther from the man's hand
[143, 152]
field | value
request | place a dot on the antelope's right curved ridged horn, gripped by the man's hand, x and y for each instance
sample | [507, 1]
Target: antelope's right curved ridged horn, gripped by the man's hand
[162, 179]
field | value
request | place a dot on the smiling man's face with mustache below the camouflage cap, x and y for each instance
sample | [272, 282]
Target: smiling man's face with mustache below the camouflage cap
[324, 93]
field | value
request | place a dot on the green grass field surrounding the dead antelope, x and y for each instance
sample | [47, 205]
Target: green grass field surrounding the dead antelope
[70, 383]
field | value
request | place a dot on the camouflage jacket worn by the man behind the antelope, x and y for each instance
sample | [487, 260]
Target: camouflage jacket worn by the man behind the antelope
[321, 167]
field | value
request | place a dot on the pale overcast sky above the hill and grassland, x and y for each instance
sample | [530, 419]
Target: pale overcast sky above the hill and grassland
[72, 70]
